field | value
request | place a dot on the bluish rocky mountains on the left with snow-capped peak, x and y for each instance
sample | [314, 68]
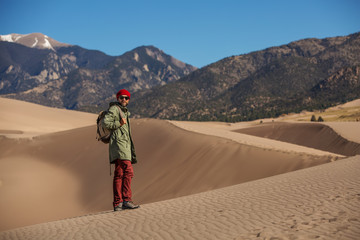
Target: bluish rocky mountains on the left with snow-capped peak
[68, 76]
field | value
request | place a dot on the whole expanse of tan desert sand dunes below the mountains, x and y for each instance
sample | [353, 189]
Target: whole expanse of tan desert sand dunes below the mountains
[193, 180]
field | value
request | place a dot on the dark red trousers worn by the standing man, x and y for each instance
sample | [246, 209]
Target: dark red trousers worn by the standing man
[122, 181]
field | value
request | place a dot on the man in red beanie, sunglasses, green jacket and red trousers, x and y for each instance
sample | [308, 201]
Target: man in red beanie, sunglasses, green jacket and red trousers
[121, 150]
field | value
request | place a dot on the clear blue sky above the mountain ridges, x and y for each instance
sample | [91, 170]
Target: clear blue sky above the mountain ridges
[198, 32]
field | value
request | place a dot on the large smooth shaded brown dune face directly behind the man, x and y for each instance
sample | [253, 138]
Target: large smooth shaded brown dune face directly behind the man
[66, 174]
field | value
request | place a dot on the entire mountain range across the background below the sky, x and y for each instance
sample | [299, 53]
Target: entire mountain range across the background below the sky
[302, 75]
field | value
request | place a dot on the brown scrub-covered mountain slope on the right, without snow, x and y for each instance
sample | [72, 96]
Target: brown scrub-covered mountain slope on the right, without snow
[303, 75]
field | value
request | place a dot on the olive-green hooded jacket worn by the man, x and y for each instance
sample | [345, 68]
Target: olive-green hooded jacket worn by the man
[121, 145]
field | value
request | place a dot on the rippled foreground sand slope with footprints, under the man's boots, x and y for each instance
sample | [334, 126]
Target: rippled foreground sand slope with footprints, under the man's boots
[314, 203]
